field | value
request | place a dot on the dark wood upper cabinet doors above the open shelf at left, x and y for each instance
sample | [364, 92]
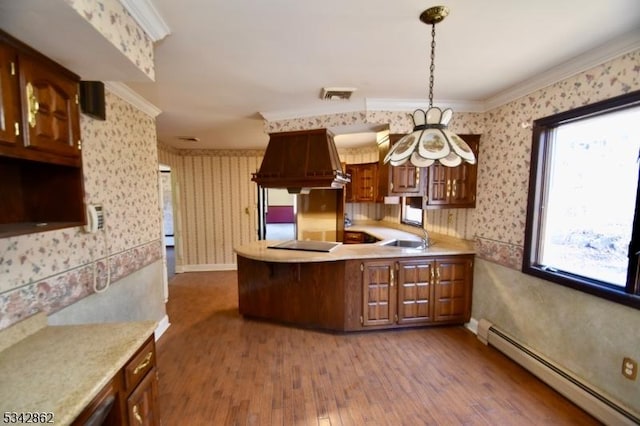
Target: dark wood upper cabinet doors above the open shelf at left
[40, 119]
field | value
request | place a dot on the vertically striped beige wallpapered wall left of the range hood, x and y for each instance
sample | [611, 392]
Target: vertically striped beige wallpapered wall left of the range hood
[216, 201]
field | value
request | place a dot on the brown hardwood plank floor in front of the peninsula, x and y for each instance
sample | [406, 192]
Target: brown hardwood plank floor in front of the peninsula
[217, 368]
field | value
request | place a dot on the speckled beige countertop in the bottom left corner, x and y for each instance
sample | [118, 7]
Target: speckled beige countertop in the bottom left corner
[60, 369]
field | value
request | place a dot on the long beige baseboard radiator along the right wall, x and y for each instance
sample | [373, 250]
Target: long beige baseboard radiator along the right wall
[593, 402]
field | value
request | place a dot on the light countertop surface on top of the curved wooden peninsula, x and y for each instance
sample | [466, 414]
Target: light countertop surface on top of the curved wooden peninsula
[441, 246]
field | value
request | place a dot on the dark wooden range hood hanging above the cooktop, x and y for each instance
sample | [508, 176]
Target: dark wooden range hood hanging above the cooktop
[300, 161]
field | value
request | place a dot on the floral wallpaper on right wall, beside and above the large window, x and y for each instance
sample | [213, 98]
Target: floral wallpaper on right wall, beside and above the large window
[503, 172]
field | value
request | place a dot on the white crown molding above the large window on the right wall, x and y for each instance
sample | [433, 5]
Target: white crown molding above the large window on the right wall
[594, 57]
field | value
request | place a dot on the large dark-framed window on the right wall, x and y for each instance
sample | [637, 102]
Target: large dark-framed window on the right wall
[583, 221]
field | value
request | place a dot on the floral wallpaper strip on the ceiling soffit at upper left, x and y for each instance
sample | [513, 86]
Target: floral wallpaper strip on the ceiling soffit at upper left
[113, 21]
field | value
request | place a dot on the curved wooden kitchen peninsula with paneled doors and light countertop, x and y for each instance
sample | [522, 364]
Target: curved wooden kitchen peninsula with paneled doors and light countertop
[355, 287]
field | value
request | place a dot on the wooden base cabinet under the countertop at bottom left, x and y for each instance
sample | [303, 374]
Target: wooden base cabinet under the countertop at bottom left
[130, 397]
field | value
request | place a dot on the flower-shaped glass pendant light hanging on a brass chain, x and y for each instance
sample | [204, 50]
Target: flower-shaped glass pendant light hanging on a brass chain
[431, 141]
